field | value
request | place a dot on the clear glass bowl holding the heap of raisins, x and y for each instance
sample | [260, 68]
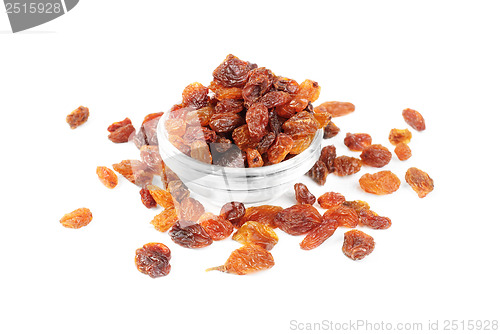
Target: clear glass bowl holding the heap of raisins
[220, 185]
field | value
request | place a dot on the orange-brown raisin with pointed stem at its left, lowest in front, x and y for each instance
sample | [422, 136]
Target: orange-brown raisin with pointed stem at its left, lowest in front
[246, 260]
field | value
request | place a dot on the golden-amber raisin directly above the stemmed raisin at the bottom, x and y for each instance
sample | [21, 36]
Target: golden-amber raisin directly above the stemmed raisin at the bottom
[255, 233]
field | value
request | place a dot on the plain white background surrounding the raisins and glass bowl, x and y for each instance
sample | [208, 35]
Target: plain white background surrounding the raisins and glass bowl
[439, 260]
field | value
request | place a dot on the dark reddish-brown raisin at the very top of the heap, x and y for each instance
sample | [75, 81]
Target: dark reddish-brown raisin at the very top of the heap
[233, 72]
